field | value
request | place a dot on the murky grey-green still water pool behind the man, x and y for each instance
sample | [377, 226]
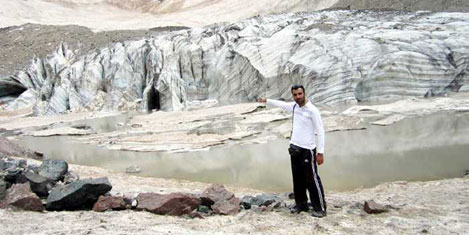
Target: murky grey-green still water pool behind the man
[422, 148]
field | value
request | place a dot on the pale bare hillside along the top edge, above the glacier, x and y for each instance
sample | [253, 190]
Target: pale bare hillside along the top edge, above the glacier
[100, 15]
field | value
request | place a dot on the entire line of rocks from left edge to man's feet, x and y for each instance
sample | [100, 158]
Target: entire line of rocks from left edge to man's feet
[51, 186]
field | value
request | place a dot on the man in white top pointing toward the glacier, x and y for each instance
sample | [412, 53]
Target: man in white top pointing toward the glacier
[305, 153]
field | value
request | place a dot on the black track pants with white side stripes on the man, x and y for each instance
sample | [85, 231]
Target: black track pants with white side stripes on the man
[305, 177]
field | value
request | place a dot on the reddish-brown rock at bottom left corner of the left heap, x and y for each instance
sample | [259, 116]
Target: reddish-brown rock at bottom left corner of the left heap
[20, 196]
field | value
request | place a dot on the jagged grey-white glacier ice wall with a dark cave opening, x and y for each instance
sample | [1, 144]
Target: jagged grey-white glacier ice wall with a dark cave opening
[340, 57]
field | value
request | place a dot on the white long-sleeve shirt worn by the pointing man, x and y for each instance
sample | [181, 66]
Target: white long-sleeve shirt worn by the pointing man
[307, 123]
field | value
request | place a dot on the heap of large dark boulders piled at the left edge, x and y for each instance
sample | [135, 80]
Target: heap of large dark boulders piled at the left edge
[22, 186]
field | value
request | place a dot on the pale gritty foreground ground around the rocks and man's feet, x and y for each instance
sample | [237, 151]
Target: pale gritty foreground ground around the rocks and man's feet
[434, 207]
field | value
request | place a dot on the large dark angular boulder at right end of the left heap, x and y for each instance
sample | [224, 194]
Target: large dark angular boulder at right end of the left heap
[81, 194]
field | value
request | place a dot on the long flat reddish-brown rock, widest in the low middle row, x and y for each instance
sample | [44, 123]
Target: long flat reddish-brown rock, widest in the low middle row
[170, 204]
